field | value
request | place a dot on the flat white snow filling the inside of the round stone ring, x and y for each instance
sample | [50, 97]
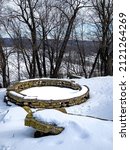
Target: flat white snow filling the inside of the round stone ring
[57, 93]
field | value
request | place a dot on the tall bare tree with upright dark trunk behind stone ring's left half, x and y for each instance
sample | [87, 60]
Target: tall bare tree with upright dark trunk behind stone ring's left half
[26, 13]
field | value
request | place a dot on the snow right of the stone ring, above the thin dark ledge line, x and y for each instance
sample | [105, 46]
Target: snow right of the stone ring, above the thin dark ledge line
[101, 96]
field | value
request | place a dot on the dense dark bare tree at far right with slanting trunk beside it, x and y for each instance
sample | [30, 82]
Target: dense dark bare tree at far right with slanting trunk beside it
[103, 10]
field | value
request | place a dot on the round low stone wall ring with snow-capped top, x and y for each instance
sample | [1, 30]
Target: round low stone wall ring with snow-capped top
[14, 95]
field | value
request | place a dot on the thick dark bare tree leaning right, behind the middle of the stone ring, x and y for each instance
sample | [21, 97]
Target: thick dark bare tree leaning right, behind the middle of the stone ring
[69, 10]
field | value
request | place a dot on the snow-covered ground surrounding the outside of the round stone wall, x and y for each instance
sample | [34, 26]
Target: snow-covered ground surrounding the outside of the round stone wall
[81, 132]
